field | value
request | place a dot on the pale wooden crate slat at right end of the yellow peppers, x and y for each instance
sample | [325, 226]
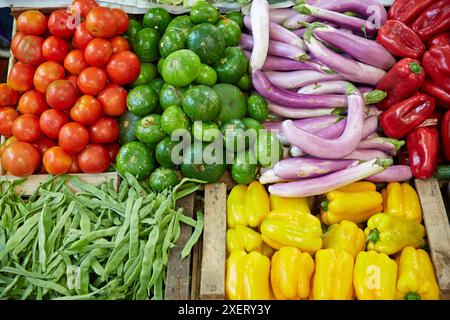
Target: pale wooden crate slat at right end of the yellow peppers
[438, 230]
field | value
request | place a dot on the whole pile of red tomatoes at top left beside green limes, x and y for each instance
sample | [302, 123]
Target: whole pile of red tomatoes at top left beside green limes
[62, 96]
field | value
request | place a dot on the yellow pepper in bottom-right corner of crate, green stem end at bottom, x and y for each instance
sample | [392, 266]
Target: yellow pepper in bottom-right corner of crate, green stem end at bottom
[416, 278]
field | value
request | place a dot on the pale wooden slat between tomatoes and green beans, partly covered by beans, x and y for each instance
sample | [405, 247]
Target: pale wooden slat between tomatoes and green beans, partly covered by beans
[32, 183]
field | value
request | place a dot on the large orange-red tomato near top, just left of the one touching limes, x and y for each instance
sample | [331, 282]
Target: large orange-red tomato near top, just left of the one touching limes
[101, 22]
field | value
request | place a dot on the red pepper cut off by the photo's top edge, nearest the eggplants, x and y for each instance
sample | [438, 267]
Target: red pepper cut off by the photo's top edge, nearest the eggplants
[407, 10]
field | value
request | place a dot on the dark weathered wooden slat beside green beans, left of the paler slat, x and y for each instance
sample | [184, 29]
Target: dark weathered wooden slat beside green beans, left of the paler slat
[178, 272]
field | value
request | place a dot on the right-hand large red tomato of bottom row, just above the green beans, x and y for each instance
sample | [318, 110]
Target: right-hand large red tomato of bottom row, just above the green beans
[94, 159]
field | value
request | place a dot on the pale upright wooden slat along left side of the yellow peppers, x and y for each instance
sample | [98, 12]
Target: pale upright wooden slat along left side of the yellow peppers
[212, 285]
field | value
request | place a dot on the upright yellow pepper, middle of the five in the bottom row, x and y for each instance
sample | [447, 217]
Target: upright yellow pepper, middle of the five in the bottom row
[333, 277]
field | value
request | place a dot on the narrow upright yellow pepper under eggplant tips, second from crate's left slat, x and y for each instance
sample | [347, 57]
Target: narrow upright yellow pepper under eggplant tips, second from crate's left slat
[257, 203]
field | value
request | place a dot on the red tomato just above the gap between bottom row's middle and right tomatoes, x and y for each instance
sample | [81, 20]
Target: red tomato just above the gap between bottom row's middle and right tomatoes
[73, 137]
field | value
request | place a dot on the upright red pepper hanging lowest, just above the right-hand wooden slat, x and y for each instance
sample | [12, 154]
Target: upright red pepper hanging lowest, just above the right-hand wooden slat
[423, 149]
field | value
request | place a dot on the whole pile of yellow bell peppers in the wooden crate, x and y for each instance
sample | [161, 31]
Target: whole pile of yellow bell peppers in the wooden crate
[363, 244]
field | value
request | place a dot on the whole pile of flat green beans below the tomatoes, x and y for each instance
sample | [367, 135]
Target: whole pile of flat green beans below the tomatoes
[99, 243]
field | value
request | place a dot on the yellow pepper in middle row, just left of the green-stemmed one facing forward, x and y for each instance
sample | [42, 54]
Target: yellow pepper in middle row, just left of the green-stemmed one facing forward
[345, 236]
